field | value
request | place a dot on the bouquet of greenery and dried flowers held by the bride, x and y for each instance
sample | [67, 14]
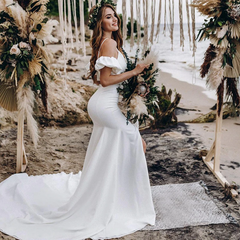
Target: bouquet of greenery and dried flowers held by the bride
[139, 93]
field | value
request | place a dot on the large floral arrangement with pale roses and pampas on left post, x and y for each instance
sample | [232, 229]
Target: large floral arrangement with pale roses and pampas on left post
[24, 31]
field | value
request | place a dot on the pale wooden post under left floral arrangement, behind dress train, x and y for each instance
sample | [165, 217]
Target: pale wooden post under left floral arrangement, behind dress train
[21, 155]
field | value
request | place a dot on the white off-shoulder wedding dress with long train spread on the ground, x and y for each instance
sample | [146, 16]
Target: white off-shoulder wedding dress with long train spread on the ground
[109, 198]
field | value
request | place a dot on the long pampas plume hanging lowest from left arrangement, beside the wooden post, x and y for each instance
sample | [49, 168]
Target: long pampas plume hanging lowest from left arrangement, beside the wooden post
[25, 99]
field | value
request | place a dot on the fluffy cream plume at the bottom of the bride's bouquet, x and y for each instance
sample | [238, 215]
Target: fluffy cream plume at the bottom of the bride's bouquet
[137, 105]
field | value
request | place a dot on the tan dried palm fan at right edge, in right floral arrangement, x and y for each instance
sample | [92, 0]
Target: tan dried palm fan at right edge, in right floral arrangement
[234, 72]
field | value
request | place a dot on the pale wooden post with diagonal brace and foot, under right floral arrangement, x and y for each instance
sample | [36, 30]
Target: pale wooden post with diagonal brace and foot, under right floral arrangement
[215, 151]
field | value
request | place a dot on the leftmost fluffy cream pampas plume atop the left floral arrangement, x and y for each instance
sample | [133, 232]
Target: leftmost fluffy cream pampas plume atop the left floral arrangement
[21, 19]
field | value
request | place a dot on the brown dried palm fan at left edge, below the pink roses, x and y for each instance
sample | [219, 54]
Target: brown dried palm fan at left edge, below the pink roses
[8, 99]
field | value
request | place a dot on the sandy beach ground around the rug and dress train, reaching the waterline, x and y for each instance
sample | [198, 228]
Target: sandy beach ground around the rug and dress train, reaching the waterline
[172, 155]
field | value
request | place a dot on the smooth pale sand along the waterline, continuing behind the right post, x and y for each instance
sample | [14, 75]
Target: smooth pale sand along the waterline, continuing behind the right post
[194, 98]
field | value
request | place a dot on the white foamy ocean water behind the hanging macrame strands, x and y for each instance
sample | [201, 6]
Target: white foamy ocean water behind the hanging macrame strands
[178, 61]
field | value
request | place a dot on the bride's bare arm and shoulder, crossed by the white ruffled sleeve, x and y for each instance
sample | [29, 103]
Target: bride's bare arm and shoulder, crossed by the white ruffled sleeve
[109, 49]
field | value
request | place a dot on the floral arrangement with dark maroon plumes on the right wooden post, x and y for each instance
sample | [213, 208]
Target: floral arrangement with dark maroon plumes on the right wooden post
[222, 58]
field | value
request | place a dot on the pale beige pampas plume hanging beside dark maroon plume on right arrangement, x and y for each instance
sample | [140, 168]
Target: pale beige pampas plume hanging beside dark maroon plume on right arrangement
[216, 71]
